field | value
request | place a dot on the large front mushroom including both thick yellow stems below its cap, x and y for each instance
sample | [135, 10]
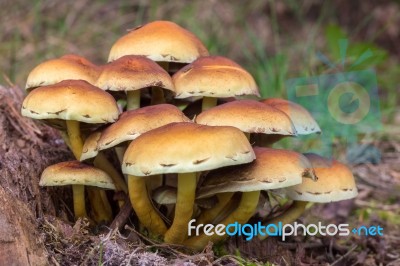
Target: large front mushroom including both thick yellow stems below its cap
[183, 148]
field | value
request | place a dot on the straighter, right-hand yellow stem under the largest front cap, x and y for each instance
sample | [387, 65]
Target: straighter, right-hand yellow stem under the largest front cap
[177, 233]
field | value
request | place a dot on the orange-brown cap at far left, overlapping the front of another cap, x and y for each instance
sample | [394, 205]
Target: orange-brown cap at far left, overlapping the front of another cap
[71, 100]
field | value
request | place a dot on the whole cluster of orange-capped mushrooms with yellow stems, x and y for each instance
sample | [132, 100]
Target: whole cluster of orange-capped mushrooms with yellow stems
[159, 122]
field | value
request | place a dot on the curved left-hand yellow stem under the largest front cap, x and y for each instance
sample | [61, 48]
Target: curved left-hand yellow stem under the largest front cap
[143, 207]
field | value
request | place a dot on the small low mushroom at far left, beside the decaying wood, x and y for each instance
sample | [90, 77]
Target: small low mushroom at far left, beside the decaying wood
[78, 175]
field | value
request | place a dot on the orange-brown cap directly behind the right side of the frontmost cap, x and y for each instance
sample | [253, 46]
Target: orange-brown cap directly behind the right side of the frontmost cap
[249, 116]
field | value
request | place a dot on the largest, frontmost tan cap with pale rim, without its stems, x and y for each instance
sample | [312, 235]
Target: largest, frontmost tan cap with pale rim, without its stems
[185, 148]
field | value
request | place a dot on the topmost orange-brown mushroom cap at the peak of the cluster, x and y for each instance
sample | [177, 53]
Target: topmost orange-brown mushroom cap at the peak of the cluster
[161, 41]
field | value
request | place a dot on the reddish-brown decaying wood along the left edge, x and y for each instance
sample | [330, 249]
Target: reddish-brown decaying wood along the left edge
[26, 148]
